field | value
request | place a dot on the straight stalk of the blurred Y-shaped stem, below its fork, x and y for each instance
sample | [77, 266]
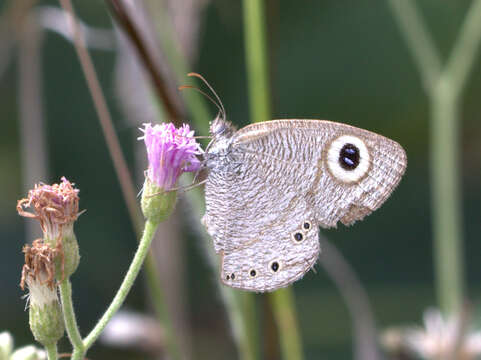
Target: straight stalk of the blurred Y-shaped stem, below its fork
[446, 198]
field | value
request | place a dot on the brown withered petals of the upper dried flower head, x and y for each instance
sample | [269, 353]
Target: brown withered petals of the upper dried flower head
[55, 206]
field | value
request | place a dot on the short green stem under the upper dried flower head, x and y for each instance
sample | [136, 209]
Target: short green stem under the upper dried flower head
[70, 320]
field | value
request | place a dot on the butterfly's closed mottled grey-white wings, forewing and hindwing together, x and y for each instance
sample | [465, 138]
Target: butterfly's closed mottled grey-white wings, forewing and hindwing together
[277, 183]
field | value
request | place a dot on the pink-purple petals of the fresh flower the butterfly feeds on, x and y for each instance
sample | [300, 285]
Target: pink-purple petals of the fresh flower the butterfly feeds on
[171, 152]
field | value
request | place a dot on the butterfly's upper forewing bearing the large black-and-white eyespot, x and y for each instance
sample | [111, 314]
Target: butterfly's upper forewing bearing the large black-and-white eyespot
[355, 170]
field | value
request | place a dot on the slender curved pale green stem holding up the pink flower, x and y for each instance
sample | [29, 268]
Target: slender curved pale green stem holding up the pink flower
[127, 283]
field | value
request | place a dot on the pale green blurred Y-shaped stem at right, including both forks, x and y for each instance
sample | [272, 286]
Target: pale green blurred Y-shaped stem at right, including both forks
[444, 86]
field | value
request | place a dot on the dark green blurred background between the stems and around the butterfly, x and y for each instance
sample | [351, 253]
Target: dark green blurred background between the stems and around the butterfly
[338, 60]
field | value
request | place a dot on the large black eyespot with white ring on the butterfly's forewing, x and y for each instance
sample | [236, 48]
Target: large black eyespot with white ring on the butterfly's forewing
[348, 158]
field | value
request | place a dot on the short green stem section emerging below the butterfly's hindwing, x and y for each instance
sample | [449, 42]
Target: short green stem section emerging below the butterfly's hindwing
[282, 302]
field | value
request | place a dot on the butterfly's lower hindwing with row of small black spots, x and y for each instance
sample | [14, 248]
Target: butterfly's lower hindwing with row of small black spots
[260, 223]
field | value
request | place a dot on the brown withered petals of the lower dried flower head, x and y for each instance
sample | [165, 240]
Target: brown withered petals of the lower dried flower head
[40, 265]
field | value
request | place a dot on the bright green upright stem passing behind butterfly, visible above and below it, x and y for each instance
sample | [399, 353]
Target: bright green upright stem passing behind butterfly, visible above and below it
[282, 301]
